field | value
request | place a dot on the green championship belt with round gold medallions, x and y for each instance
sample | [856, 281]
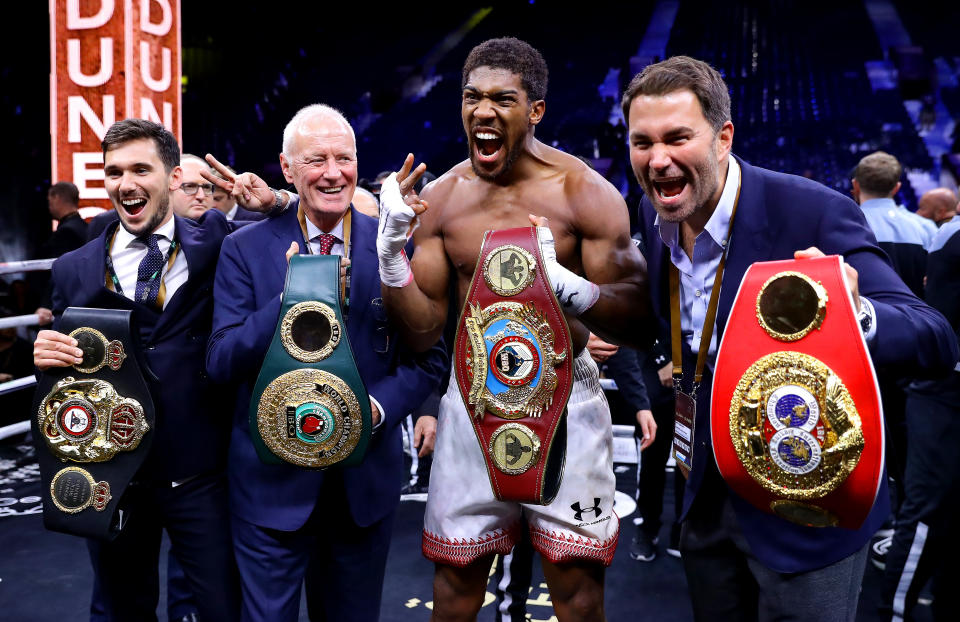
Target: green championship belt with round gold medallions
[309, 406]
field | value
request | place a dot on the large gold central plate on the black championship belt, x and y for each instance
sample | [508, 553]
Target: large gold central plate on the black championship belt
[88, 421]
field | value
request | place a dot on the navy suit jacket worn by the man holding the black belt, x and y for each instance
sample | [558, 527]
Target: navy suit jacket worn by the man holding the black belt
[190, 436]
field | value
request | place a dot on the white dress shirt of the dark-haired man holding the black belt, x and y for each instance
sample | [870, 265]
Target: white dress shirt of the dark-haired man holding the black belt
[127, 252]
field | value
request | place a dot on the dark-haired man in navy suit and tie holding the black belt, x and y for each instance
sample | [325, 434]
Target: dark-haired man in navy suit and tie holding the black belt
[162, 268]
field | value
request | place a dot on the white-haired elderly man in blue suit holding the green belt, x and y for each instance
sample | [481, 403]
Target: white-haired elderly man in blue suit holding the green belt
[284, 515]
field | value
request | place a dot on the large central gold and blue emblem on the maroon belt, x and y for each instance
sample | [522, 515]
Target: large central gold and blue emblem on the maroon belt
[511, 360]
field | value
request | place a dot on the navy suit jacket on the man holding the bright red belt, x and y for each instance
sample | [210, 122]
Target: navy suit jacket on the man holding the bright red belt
[777, 215]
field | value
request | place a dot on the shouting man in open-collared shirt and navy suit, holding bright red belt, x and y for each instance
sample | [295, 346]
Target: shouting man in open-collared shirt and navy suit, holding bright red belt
[742, 563]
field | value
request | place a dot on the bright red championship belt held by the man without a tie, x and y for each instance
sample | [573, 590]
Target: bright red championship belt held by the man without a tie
[796, 419]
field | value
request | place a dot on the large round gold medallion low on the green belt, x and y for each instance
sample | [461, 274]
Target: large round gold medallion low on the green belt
[309, 418]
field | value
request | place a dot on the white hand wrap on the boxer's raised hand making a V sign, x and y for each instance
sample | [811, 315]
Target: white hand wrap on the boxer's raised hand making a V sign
[397, 223]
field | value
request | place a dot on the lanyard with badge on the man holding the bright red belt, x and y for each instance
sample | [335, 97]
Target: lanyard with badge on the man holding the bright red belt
[685, 411]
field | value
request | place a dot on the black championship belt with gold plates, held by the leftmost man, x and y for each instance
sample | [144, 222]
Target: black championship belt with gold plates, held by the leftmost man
[92, 424]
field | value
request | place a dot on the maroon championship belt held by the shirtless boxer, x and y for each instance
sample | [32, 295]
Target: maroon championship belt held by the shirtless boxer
[514, 368]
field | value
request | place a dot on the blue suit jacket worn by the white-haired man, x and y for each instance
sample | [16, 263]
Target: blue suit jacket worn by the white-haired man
[249, 282]
